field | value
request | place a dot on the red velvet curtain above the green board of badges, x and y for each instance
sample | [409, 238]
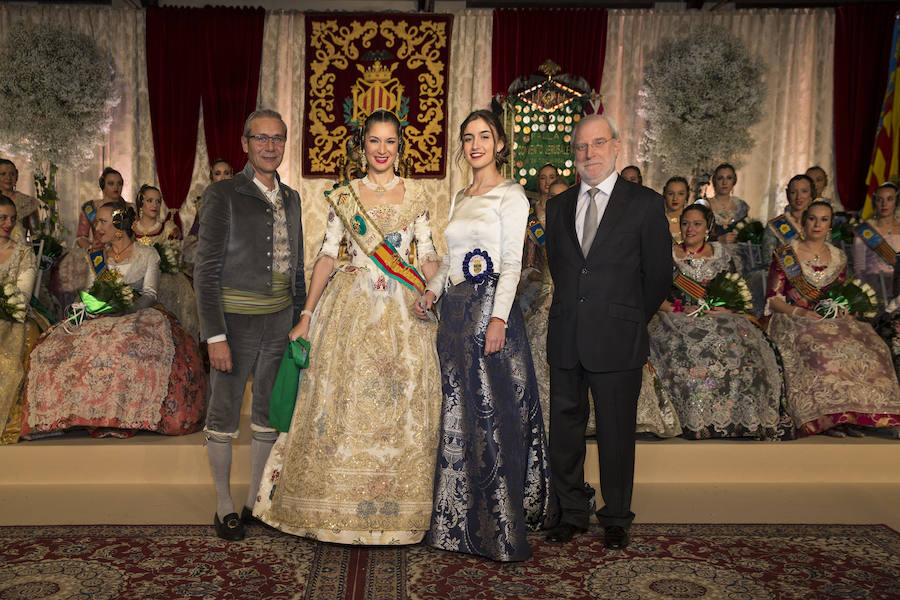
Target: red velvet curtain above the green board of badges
[573, 38]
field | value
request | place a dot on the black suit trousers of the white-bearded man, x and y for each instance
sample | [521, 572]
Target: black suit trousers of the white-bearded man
[615, 395]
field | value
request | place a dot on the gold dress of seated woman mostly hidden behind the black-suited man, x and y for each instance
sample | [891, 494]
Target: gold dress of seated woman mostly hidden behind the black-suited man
[655, 415]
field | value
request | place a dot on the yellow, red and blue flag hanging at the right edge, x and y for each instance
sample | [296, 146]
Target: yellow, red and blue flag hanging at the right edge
[886, 154]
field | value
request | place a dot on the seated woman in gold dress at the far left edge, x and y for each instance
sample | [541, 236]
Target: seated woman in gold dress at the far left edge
[18, 268]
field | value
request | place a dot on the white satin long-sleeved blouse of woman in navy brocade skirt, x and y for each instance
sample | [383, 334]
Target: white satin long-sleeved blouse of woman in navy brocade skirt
[496, 223]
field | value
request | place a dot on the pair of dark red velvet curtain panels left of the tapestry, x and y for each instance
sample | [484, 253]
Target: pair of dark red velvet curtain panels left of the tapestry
[213, 53]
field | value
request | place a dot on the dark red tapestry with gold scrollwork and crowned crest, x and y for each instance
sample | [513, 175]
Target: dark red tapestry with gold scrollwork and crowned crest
[357, 63]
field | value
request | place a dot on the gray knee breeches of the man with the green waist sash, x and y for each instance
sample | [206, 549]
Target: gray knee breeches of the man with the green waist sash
[257, 344]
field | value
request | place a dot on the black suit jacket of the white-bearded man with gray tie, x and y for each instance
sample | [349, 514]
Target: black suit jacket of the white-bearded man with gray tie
[602, 303]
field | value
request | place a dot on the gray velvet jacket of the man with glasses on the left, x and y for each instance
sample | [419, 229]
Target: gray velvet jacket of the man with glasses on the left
[234, 246]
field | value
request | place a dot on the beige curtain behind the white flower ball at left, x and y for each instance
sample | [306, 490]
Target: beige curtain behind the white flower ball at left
[128, 146]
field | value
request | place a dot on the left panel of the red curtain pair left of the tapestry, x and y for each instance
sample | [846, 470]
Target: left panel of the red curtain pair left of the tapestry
[173, 64]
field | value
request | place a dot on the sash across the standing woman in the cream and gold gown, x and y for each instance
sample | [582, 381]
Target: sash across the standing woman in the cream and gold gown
[365, 233]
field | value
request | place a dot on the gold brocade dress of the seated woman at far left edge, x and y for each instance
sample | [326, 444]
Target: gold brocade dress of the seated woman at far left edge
[19, 269]
